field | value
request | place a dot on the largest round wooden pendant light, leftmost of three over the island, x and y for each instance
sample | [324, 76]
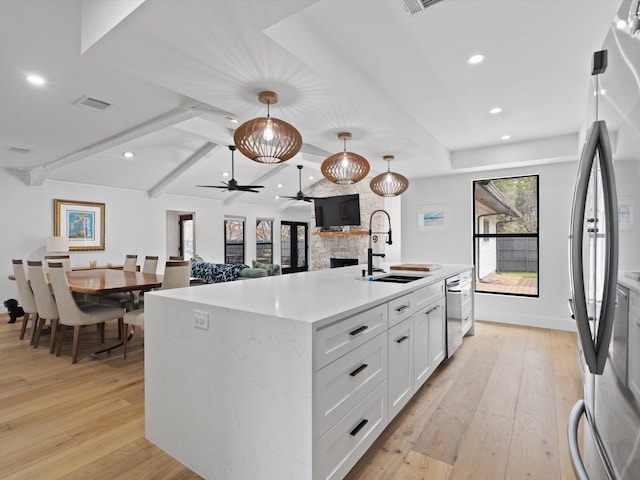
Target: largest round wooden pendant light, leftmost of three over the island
[267, 139]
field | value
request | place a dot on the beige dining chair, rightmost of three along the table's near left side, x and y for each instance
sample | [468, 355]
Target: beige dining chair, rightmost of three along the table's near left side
[77, 315]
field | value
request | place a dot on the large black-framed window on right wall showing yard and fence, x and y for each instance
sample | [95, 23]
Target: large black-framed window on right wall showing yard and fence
[505, 230]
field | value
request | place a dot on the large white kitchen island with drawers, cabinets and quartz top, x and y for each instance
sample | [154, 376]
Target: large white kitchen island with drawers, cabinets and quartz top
[288, 377]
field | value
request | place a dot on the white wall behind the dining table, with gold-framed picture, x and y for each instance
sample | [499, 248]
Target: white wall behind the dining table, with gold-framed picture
[134, 224]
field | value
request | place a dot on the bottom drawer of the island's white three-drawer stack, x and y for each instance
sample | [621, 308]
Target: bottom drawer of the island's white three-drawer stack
[342, 446]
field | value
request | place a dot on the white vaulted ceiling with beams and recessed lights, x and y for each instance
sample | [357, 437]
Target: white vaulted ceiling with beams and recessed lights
[175, 71]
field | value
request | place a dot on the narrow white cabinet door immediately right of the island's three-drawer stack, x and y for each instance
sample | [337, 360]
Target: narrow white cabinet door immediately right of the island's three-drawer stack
[400, 346]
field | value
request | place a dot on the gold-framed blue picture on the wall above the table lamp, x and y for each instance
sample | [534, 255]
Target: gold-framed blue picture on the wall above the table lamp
[81, 222]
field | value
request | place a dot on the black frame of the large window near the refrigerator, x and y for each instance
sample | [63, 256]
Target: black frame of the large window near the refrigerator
[486, 237]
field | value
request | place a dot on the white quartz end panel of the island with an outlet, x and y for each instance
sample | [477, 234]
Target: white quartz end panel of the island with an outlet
[233, 401]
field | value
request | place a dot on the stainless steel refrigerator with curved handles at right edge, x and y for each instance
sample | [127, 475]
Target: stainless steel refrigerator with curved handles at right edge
[599, 248]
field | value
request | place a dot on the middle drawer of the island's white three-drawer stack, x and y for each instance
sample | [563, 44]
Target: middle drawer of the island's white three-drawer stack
[342, 384]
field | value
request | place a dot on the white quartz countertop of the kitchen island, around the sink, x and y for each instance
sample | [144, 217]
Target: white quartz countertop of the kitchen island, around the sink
[310, 297]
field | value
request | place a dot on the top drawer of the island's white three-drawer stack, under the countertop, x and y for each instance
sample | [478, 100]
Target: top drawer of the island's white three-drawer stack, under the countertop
[333, 341]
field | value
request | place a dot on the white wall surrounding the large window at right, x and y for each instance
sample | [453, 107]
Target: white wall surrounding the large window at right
[455, 244]
